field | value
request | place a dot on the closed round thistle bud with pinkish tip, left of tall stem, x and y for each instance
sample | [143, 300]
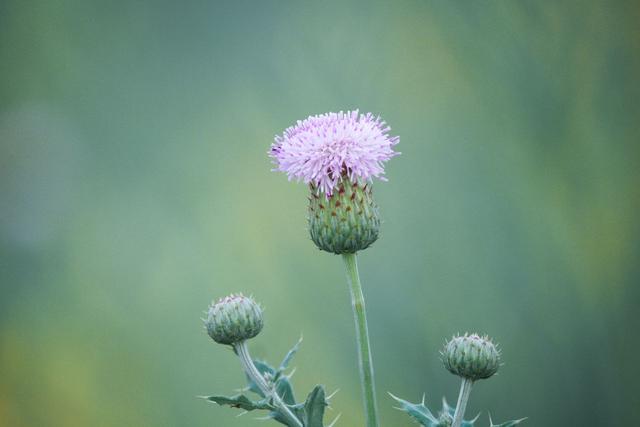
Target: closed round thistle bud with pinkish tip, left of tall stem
[234, 319]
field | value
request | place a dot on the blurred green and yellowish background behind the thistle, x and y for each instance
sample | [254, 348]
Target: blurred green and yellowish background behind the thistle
[135, 187]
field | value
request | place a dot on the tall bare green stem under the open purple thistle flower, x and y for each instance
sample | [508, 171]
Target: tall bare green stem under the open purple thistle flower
[362, 336]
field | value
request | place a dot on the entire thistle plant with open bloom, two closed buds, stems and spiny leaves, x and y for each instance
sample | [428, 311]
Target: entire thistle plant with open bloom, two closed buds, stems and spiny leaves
[337, 155]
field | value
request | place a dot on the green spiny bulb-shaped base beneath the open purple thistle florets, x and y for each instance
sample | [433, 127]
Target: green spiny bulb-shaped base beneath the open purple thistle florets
[345, 222]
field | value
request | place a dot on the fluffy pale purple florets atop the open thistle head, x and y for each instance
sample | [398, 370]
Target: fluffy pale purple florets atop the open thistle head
[320, 149]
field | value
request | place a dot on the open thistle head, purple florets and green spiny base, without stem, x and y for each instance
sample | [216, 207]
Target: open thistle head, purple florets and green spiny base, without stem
[338, 154]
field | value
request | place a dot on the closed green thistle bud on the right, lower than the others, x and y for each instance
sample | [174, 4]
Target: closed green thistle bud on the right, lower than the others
[471, 357]
